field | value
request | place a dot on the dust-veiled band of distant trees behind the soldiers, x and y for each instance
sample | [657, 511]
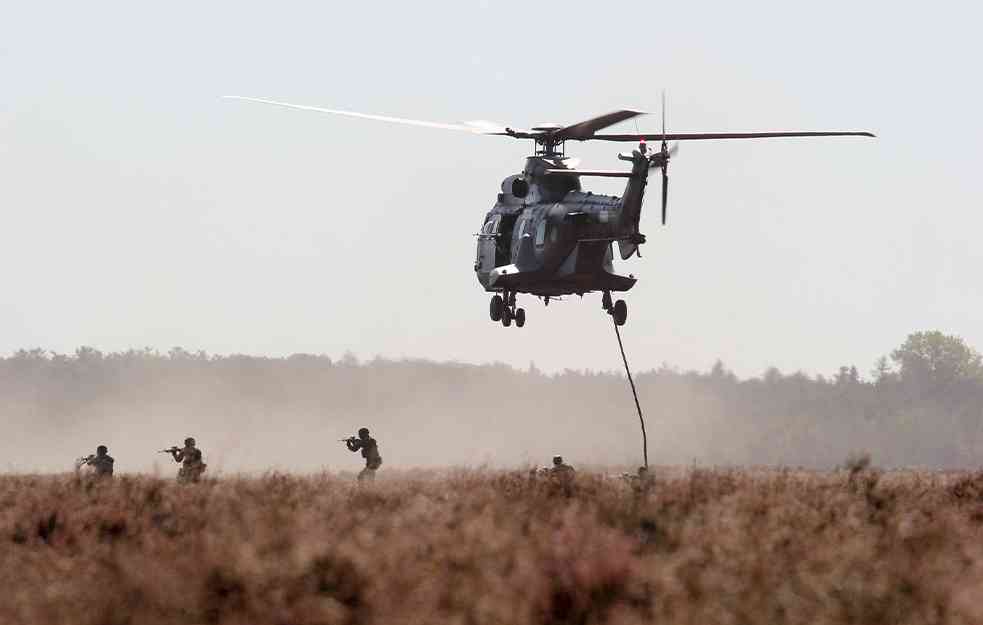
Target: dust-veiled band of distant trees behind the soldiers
[920, 405]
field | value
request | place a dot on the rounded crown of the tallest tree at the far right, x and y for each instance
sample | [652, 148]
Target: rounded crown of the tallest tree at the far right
[933, 360]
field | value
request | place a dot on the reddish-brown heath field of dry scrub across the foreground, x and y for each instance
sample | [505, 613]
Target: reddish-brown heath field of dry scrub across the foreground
[701, 547]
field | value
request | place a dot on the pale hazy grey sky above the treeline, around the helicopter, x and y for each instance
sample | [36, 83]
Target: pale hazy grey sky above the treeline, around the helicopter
[140, 209]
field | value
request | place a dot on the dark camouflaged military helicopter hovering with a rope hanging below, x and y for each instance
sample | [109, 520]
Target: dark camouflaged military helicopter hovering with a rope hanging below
[545, 236]
